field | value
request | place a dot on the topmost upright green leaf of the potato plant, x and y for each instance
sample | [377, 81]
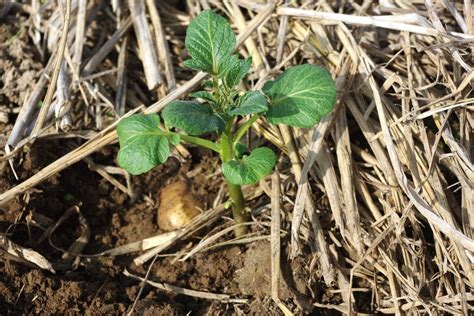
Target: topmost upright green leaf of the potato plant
[209, 41]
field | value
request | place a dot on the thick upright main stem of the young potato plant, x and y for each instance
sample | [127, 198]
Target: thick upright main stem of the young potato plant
[235, 191]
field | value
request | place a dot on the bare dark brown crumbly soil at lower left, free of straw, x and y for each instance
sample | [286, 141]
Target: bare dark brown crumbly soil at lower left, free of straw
[98, 285]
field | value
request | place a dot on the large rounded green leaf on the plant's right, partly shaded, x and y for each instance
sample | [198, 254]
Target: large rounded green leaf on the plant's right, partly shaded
[300, 96]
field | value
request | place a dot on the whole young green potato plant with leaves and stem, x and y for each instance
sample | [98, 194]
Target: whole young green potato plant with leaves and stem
[299, 97]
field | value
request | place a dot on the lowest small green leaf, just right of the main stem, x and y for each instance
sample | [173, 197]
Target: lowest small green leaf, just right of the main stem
[250, 168]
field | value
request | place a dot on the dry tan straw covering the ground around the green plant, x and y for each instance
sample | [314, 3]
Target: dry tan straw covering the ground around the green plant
[376, 203]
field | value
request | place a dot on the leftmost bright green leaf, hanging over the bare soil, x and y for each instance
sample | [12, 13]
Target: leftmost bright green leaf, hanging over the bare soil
[142, 143]
